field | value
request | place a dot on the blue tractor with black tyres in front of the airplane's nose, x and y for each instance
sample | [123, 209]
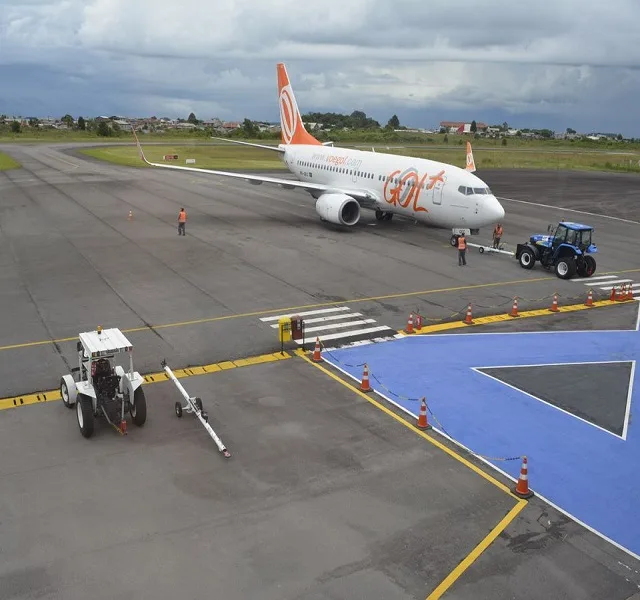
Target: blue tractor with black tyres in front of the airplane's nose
[567, 249]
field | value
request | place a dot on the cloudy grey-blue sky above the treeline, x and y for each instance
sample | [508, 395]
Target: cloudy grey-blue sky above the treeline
[553, 63]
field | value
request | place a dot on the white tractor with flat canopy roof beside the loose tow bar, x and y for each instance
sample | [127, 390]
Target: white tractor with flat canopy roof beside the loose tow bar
[102, 387]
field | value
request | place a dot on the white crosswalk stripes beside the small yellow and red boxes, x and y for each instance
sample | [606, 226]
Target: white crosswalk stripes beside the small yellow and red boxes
[325, 321]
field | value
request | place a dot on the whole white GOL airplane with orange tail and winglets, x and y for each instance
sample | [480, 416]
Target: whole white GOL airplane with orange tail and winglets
[345, 180]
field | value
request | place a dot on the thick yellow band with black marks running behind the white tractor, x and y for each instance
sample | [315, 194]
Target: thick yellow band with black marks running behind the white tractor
[158, 377]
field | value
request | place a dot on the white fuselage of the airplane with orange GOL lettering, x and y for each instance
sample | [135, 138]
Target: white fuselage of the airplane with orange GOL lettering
[428, 191]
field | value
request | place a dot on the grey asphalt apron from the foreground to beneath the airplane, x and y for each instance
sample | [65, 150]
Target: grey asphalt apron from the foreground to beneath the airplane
[71, 260]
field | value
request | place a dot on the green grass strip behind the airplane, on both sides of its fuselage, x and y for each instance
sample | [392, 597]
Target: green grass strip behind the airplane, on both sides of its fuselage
[228, 156]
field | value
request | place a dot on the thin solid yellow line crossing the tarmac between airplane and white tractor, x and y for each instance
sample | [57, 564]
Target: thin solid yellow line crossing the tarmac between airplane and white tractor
[296, 308]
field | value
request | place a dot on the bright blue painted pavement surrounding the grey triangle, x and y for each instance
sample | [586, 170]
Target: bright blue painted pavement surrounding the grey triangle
[588, 472]
